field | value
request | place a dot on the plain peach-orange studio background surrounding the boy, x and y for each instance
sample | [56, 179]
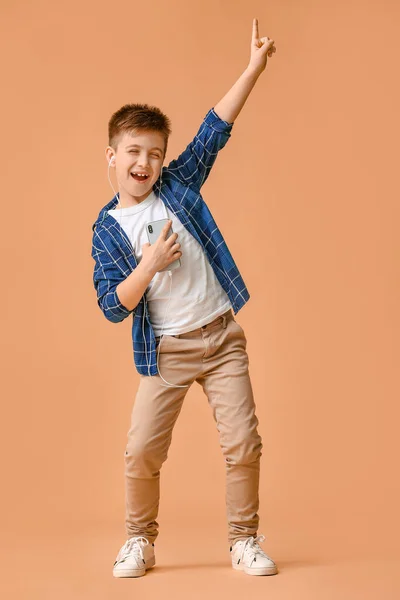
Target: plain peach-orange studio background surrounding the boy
[313, 227]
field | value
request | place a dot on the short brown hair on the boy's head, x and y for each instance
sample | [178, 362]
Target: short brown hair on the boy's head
[137, 117]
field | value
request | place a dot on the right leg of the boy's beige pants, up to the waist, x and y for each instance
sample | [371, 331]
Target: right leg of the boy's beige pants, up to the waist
[226, 382]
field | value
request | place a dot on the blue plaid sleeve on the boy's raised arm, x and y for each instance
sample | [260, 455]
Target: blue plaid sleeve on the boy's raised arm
[193, 165]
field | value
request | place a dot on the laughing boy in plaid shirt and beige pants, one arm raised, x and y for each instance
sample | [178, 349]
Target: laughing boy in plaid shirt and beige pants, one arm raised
[203, 341]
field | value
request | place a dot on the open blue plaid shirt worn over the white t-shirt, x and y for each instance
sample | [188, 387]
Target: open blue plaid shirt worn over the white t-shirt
[114, 256]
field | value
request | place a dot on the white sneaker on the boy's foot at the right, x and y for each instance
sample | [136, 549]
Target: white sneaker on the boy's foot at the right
[247, 556]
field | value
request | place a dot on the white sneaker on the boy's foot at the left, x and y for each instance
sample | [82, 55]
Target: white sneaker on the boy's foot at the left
[134, 558]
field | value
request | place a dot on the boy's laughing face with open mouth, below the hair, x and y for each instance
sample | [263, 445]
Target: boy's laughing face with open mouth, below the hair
[142, 152]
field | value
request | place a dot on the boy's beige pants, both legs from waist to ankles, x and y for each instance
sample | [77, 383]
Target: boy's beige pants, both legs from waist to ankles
[215, 356]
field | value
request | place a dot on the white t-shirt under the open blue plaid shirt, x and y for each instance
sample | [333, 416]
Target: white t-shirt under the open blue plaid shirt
[197, 297]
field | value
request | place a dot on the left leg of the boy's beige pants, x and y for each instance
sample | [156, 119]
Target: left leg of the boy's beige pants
[155, 411]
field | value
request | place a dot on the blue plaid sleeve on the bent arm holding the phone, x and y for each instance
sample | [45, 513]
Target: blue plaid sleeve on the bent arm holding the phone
[106, 277]
